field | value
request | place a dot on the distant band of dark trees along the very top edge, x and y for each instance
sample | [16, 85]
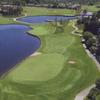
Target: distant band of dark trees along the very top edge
[51, 1]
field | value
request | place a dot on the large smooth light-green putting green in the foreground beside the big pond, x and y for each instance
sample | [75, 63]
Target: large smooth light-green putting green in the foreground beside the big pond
[38, 68]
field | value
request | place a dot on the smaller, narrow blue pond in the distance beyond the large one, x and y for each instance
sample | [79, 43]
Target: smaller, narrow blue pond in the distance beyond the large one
[42, 19]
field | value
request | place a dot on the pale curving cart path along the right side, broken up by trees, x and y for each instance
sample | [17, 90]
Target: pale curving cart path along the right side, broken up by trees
[81, 95]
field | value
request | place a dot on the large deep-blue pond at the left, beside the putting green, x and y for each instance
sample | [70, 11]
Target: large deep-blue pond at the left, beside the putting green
[15, 45]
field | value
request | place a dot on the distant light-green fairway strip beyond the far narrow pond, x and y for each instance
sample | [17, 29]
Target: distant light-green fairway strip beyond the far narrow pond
[45, 11]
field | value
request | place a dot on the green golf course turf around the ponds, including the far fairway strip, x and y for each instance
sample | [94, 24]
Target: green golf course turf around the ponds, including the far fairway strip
[58, 70]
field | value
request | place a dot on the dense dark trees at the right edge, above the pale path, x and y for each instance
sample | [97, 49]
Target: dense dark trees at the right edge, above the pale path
[91, 33]
